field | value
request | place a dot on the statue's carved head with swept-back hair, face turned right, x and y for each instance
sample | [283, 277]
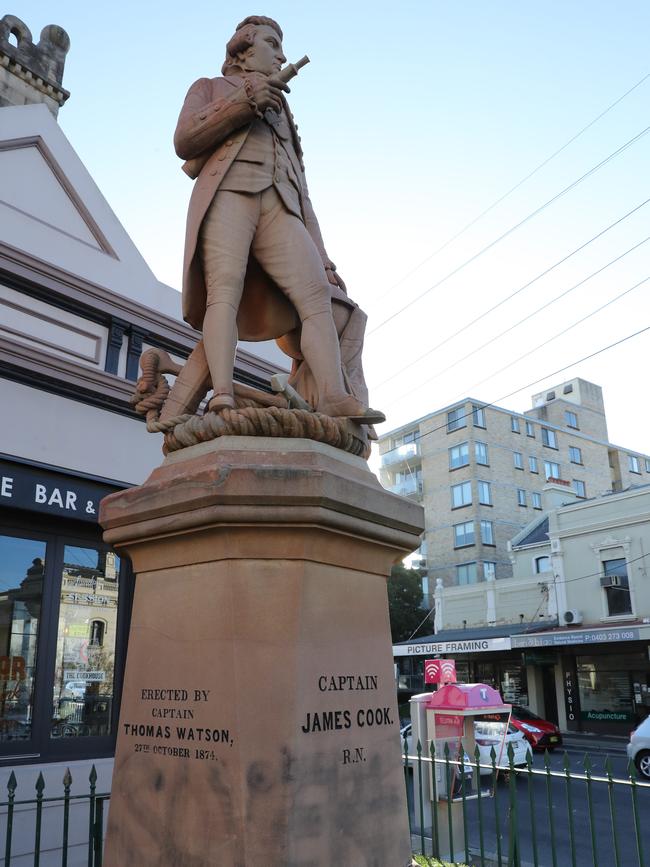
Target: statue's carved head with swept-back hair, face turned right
[255, 47]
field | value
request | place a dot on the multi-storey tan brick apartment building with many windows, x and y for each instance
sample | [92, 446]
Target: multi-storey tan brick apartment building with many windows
[480, 471]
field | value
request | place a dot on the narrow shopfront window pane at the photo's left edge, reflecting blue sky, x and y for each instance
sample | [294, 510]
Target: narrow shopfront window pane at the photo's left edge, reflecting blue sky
[22, 566]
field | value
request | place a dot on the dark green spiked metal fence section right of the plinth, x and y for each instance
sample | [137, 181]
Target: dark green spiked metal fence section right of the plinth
[499, 815]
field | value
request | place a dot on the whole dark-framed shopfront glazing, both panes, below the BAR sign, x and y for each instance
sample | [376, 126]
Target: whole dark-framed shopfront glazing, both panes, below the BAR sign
[62, 637]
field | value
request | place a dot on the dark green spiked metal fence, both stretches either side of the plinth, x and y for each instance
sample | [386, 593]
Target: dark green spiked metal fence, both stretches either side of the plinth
[492, 815]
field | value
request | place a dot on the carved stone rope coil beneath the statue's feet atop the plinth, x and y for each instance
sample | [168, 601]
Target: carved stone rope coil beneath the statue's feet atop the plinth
[271, 421]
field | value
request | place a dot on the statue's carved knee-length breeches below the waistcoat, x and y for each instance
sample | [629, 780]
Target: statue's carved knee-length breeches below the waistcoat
[240, 224]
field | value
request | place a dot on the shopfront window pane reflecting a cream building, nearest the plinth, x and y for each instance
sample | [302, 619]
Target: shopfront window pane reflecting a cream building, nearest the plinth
[85, 653]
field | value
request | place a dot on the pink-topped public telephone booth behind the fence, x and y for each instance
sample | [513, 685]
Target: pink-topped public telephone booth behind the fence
[454, 717]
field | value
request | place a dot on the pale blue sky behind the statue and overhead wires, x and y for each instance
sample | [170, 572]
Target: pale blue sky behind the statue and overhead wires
[415, 117]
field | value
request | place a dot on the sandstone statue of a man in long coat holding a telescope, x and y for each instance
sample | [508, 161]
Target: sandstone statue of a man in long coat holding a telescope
[255, 264]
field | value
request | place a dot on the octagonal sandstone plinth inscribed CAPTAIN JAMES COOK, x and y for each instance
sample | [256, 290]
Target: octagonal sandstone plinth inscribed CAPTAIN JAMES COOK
[259, 720]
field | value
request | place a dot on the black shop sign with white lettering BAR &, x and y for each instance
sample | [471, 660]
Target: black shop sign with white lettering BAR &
[41, 490]
